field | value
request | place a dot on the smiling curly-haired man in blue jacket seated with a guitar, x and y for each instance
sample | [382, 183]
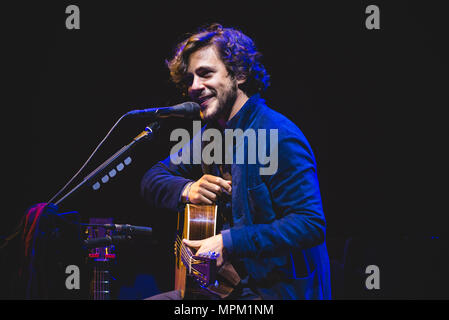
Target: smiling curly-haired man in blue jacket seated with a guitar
[273, 231]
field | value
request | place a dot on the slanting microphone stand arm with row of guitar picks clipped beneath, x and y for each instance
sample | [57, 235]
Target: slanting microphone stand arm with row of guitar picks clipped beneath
[146, 134]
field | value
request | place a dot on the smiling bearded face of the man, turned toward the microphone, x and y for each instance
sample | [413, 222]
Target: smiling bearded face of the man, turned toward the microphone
[212, 87]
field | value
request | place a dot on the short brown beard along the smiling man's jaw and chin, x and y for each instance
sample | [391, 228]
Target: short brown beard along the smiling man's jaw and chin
[224, 101]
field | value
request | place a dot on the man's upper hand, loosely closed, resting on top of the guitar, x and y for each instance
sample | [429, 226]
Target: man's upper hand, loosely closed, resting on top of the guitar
[207, 189]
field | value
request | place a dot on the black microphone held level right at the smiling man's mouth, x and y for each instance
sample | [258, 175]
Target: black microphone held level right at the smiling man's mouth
[189, 110]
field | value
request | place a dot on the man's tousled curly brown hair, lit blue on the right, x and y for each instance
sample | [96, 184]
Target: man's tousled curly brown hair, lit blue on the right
[237, 51]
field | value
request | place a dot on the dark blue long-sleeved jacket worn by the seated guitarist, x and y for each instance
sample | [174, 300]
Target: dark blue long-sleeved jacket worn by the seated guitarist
[278, 231]
